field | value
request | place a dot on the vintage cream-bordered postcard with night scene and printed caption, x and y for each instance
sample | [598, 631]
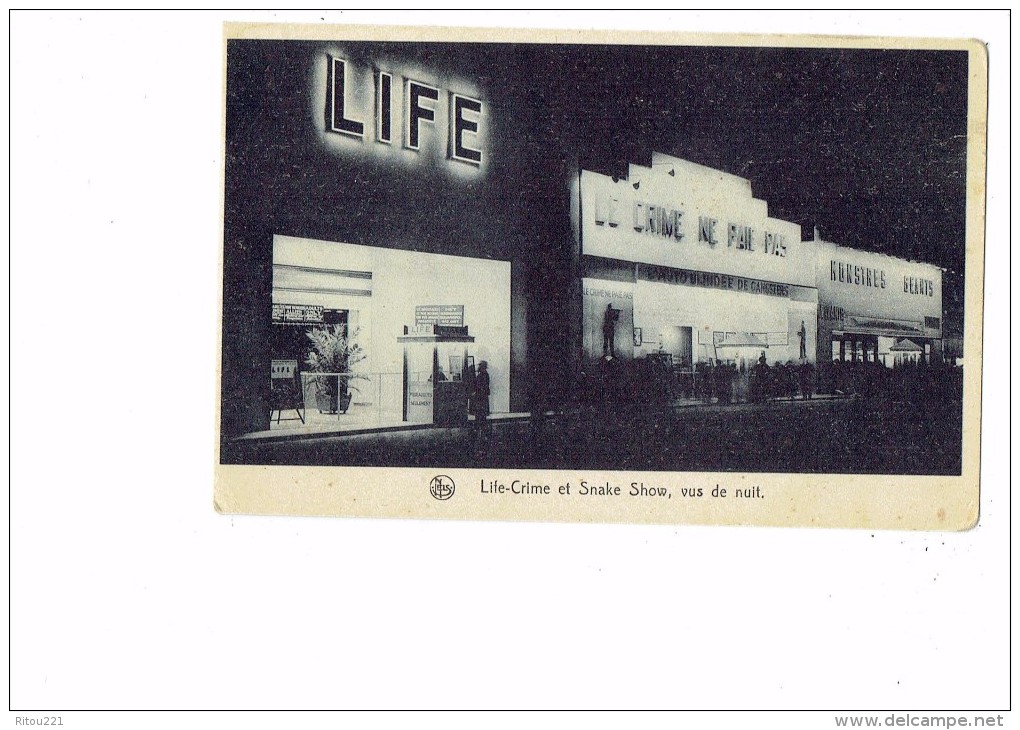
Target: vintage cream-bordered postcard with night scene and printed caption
[602, 278]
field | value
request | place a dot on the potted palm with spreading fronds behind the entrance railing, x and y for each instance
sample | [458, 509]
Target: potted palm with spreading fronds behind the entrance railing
[334, 353]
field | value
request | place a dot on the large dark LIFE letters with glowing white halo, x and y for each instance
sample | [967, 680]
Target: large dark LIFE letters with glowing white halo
[421, 107]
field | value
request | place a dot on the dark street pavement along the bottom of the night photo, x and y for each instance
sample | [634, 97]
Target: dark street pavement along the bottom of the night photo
[851, 437]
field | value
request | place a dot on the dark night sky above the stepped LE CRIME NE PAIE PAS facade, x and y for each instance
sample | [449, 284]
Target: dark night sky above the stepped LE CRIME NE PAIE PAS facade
[870, 146]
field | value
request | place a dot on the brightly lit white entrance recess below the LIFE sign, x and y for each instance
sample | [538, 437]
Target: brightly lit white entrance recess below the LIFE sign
[382, 299]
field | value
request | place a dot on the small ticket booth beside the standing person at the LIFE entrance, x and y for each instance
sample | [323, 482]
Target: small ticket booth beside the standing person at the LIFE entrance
[438, 373]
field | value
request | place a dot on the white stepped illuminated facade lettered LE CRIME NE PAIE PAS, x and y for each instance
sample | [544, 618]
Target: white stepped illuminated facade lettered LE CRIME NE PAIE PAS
[683, 262]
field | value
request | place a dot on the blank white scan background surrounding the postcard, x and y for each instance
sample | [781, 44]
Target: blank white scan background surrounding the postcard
[129, 592]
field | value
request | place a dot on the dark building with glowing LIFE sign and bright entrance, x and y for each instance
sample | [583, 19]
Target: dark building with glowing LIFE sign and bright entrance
[381, 188]
